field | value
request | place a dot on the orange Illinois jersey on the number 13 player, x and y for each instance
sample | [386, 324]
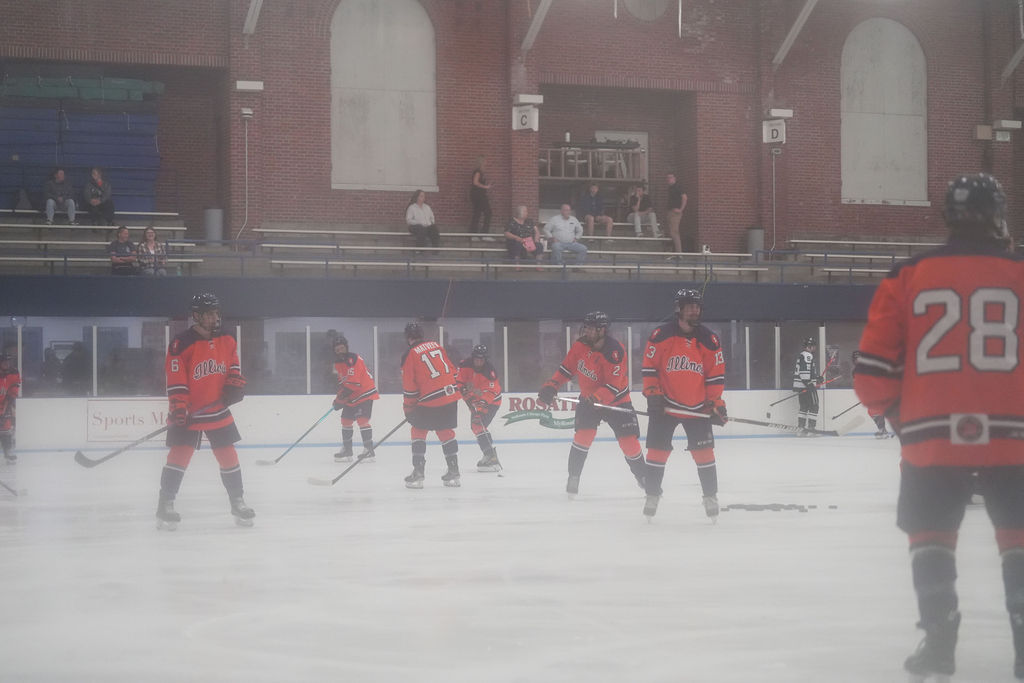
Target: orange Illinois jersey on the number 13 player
[688, 370]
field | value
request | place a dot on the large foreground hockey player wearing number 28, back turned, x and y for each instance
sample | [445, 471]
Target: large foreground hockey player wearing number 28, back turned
[941, 358]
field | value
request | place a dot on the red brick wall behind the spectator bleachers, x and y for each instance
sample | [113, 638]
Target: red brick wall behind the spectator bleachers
[703, 96]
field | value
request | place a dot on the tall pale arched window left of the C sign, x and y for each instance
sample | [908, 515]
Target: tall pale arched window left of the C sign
[383, 97]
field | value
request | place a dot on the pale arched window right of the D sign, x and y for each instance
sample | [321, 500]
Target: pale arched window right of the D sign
[884, 116]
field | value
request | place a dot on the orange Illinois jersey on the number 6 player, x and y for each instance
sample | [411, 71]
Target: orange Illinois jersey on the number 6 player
[197, 369]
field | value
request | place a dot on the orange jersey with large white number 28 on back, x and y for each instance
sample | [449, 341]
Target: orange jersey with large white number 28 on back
[942, 352]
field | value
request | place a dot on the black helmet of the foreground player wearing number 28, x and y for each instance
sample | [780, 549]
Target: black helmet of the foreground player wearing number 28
[976, 208]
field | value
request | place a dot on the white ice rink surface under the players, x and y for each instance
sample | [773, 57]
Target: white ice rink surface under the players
[504, 580]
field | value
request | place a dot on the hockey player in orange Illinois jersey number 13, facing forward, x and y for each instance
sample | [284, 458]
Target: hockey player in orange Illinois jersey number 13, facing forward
[684, 370]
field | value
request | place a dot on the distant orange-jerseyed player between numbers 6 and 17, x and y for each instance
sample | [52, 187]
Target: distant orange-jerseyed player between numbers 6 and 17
[357, 394]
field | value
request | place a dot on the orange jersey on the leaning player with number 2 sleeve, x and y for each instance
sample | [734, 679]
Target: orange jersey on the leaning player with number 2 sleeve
[602, 374]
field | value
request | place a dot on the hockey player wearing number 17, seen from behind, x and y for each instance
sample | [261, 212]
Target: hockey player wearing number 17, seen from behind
[431, 399]
